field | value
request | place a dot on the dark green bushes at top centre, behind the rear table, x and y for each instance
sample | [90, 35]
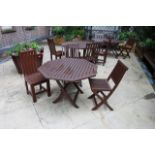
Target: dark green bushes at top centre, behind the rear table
[69, 32]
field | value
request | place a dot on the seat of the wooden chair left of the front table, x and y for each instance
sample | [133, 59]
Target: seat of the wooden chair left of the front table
[35, 78]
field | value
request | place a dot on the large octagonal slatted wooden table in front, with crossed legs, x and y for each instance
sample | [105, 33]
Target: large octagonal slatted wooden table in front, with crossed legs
[68, 71]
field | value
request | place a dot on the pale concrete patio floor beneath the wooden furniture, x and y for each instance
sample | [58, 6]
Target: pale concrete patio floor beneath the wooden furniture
[133, 101]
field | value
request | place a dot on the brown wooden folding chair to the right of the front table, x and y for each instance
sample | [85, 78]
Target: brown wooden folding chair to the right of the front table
[100, 86]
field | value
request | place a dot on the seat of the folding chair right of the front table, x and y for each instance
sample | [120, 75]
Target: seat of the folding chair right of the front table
[99, 85]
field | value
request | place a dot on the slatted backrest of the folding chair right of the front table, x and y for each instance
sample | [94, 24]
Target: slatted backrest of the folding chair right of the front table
[117, 73]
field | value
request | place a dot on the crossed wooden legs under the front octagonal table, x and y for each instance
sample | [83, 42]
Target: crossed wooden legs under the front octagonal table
[63, 88]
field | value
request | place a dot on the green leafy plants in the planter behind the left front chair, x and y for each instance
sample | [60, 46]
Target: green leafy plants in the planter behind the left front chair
[20, 47]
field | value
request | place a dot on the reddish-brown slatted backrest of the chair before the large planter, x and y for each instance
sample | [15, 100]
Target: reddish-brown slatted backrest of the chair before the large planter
[29, 62]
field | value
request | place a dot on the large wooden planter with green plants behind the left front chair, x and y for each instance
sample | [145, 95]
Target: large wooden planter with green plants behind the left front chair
[15, 50]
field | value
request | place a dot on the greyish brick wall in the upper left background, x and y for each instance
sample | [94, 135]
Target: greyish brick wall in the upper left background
[21, 35]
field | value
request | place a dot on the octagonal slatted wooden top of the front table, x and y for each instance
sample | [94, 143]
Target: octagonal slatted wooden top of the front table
[68, 69]
